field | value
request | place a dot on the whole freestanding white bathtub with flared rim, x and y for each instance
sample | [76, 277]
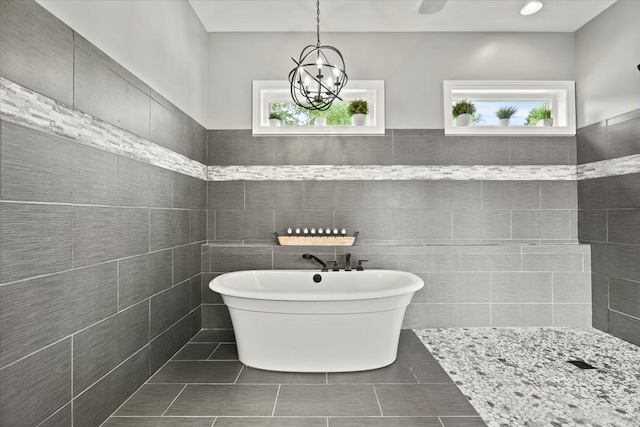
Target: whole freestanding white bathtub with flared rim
[287, 320]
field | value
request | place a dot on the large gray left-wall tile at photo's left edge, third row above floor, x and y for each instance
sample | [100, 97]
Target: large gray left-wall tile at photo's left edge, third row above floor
[59, 305]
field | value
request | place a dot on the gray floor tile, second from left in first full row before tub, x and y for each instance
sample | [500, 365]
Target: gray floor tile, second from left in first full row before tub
[221, 400]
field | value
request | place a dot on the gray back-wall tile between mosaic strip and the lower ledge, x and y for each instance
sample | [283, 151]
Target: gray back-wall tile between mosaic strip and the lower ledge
[400, 212]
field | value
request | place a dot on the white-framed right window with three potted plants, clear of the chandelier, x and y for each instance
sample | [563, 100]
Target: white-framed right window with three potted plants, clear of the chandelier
[526, 96]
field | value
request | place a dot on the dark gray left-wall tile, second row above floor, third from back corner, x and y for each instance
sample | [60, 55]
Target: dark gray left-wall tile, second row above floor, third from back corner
[103, 346]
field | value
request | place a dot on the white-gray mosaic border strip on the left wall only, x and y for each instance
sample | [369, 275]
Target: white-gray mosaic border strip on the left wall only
[27, 108]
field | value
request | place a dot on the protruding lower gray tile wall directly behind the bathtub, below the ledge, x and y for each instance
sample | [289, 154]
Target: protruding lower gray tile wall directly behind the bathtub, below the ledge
[465, 286]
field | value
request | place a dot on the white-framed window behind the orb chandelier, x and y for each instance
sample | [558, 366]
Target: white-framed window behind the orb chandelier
[274, 97]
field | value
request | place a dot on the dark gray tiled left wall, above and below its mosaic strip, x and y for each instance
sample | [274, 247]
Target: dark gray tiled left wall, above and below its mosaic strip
[100, 253]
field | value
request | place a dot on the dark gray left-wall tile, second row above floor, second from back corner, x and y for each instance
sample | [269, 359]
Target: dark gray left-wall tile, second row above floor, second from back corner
[168, 307]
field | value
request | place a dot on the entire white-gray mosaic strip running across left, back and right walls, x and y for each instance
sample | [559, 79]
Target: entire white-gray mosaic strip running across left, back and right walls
[25, 107]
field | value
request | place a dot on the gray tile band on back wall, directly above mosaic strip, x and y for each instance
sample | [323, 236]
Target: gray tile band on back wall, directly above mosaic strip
[396, 147]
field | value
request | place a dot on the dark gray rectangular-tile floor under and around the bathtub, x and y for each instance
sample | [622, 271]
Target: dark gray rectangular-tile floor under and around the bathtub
[206, 385]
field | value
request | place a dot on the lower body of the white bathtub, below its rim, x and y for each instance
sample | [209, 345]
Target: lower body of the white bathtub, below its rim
[317, 342]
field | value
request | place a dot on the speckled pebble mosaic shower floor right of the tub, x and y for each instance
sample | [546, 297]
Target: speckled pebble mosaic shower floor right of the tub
[521, 377]
